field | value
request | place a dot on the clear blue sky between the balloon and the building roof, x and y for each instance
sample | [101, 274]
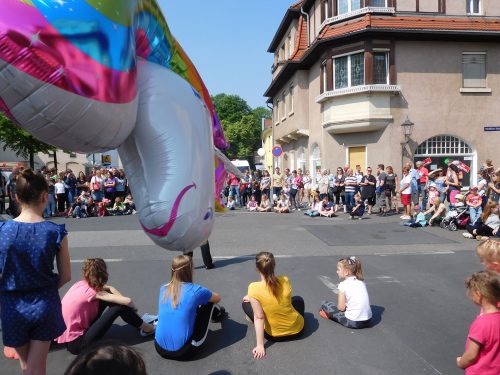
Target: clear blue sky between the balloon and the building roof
[227, 40]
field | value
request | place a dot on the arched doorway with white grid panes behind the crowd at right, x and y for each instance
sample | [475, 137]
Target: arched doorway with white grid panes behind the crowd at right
[443, 149]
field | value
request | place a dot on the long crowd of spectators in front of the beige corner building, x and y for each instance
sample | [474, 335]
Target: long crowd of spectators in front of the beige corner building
[430, 194]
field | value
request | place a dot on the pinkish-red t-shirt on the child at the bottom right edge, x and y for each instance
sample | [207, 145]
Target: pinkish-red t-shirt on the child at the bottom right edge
[485, 331]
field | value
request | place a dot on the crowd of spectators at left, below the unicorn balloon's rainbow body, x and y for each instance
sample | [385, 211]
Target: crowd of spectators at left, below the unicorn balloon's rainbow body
[105, 192]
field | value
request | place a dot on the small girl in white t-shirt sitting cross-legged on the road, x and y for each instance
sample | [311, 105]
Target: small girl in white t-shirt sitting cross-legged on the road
[353, 307]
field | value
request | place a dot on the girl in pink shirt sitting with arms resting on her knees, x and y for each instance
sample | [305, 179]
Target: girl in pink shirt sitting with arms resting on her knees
[91, 306]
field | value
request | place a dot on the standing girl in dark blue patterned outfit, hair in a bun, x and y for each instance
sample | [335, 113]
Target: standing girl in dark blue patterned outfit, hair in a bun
[29, 299]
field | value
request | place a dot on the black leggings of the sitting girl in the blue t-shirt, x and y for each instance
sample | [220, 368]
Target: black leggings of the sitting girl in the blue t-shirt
[203, 315]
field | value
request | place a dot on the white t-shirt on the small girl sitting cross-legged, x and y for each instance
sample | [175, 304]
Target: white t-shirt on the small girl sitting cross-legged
[357, 302]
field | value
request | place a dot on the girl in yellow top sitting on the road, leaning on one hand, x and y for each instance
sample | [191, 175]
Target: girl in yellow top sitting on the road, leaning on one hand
[270, 305]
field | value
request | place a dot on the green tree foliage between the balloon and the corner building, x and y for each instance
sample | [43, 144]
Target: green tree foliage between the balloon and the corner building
[242, 125]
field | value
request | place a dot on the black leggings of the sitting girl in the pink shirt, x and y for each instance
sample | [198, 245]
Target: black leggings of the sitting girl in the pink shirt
[102, 324]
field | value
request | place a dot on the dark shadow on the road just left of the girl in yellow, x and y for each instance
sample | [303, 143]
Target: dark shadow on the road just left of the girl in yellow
[230, 333]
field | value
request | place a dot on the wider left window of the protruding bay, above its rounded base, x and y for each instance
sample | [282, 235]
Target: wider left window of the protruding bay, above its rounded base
[349, 71]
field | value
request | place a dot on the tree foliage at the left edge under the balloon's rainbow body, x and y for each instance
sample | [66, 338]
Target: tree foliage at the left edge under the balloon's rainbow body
[20, 141]
